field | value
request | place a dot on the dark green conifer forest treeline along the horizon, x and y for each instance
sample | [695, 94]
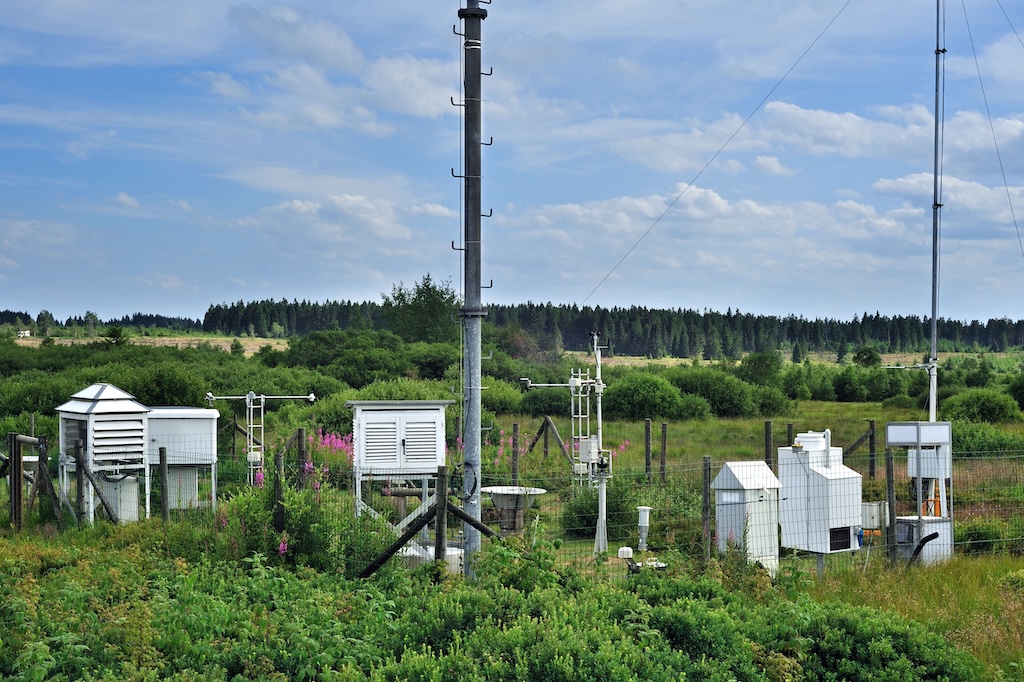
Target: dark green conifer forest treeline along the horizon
[632, 331]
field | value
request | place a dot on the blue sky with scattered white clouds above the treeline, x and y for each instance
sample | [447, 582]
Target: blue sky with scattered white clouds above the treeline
[772, 158]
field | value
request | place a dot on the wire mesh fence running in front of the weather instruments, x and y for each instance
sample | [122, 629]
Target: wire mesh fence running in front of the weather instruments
[685, 514]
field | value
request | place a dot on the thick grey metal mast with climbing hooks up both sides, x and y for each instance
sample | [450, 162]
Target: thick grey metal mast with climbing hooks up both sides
[473, 313]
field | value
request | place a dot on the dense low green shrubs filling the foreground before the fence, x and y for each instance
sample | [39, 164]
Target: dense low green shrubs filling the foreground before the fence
[194, 603]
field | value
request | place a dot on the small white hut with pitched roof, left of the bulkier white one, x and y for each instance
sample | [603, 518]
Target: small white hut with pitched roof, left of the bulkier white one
[747, 511]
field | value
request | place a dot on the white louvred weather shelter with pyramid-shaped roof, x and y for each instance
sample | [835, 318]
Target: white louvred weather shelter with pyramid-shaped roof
[112, 427]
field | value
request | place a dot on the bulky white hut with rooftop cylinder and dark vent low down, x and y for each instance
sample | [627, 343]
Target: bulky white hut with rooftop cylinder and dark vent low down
[821, 508]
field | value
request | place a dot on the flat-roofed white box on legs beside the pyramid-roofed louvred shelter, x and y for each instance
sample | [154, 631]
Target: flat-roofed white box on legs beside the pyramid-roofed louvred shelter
[190, 437]
